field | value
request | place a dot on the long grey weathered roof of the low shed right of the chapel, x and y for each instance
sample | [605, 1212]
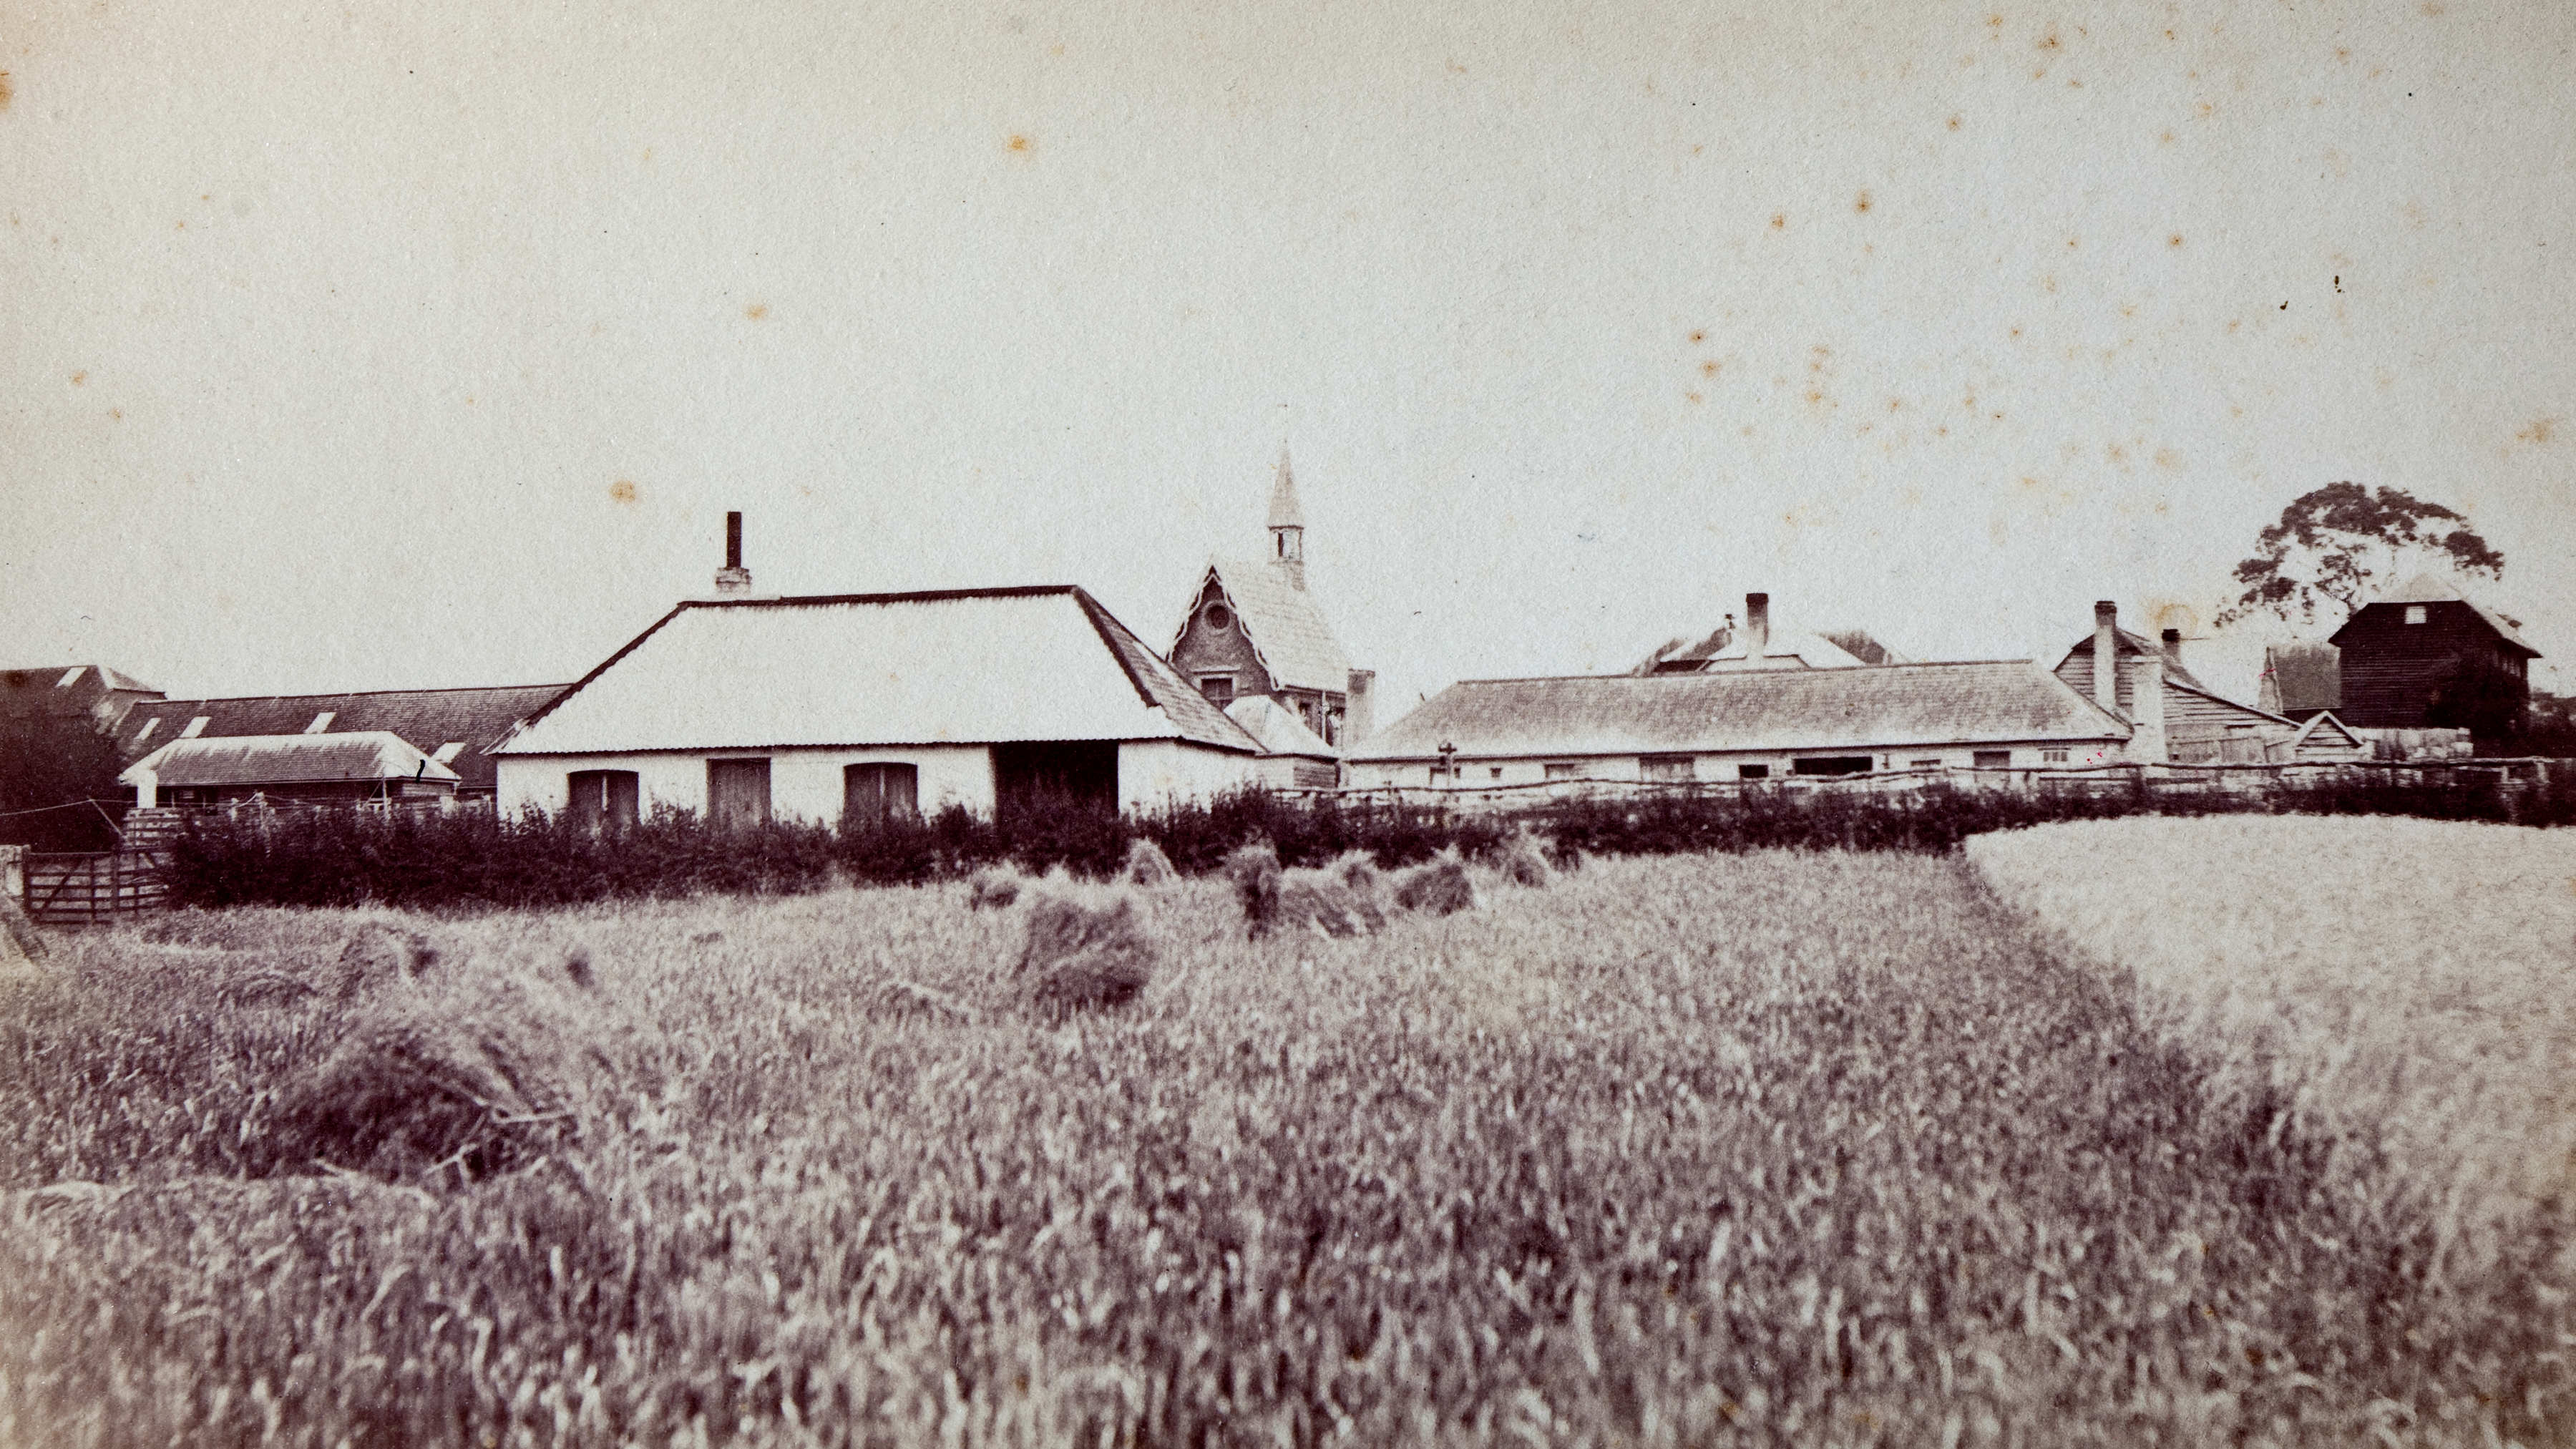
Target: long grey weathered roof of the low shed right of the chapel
[1748, 710]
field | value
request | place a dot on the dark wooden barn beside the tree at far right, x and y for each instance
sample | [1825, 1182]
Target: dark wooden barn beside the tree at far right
[2428, 656]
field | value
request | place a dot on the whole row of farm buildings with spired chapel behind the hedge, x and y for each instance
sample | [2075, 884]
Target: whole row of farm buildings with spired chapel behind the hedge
[826, 708]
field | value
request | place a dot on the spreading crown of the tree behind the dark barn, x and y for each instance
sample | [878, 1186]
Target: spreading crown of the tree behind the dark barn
[2345, 543]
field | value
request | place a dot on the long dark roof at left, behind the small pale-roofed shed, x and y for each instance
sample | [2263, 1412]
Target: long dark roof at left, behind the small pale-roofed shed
[426, 718]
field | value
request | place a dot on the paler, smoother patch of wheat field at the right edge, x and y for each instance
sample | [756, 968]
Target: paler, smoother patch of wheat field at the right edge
[2407, 976]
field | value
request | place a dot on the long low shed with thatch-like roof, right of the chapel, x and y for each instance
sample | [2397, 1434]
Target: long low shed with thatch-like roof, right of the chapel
[1740, 726]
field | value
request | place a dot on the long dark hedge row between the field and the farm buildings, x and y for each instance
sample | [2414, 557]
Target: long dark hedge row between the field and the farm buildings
[493, 862]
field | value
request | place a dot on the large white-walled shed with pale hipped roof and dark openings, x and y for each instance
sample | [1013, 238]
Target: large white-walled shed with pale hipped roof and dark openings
[877, 703]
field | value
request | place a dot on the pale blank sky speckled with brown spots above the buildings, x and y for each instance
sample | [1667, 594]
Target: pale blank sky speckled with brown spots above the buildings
[365, 347]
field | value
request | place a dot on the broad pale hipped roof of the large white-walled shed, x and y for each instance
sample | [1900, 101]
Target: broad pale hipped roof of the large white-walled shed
[877, 669]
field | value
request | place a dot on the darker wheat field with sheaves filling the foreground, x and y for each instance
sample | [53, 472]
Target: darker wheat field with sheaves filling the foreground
[1784, 1149]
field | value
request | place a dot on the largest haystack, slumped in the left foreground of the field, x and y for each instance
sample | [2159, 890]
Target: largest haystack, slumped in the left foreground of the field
[460, 1079]
